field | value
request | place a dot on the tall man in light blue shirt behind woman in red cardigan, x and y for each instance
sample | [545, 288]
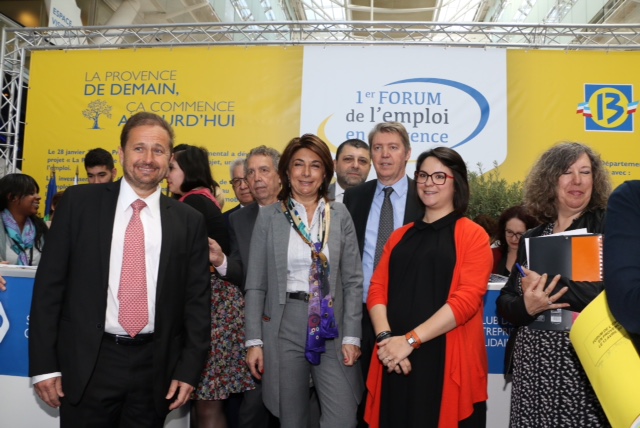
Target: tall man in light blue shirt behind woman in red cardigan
[390, 151]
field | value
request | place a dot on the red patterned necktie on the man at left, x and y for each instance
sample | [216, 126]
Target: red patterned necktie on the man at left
[132, 294]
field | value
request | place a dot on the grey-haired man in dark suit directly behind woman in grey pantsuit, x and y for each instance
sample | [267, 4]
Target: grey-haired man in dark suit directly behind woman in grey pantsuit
[261, 175]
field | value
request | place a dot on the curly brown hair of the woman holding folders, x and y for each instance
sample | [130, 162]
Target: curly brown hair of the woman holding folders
[540, 185]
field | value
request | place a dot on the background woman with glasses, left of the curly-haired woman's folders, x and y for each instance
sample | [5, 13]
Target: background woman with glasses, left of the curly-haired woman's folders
[512, 224]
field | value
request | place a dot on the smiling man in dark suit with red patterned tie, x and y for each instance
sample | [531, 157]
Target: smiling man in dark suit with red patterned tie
[114, 344]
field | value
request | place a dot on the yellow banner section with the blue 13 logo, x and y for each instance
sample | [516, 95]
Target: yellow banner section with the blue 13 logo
[545, 91]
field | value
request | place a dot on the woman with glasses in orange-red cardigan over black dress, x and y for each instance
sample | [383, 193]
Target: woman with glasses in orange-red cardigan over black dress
[425, 302]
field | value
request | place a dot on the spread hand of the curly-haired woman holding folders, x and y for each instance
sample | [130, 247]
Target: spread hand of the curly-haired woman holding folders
[537, 298]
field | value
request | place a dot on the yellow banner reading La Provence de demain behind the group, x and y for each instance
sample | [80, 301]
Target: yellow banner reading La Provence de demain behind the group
[227, 99]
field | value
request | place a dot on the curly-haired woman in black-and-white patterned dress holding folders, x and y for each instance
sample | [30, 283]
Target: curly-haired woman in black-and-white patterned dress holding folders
[567, 189]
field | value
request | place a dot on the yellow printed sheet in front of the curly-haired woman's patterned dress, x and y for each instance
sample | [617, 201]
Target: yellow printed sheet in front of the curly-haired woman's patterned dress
[611, 362]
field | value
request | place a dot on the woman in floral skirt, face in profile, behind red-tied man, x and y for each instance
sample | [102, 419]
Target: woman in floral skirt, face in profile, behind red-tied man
[225, 372]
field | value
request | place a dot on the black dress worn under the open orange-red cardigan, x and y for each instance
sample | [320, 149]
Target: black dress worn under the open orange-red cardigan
[420, 273]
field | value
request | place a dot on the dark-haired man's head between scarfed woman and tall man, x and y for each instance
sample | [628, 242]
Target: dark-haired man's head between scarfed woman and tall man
[352, 165]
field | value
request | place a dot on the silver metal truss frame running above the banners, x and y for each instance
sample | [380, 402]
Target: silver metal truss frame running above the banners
[18, 43]
